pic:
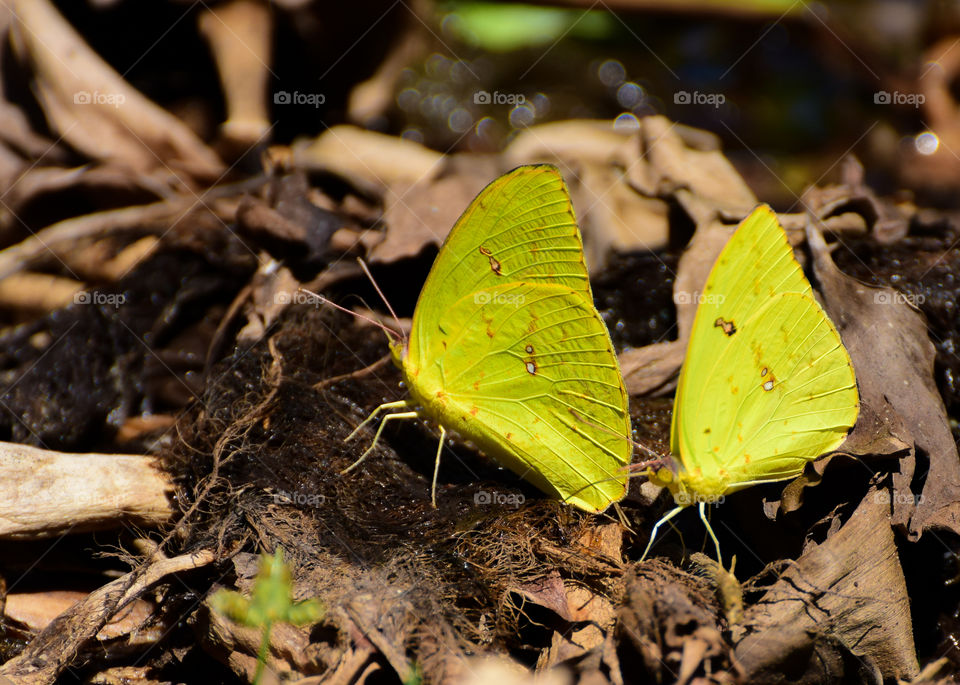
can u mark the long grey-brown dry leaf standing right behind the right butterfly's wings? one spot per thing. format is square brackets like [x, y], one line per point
[900, 404]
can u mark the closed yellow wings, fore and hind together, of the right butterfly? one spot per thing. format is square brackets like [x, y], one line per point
[767, 384]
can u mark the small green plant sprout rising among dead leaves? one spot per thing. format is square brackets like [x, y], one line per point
[270, 603]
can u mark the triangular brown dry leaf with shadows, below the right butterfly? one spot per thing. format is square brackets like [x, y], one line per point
[840, 599]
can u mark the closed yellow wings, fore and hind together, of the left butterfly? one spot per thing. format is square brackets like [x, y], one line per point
[508, 349]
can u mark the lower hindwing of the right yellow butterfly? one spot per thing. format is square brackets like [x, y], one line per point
[783, 394]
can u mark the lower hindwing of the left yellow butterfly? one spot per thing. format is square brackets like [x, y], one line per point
[528, 373]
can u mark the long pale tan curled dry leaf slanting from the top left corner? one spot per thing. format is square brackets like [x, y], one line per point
[94, 109]
